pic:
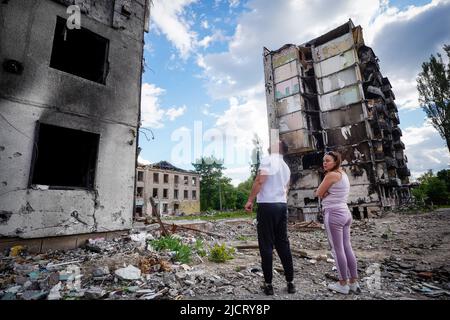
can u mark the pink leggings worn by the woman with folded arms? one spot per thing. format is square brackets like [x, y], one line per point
[337, 224]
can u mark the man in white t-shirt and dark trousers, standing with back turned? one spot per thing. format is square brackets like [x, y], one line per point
[270, 189]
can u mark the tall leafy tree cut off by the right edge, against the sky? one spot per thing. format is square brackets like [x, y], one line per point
[433, 84]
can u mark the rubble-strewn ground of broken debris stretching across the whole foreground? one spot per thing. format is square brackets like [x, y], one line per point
[399, 257]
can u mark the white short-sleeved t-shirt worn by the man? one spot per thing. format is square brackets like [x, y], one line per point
[278, 176]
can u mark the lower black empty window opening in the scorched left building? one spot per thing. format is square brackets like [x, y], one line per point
[64, 158]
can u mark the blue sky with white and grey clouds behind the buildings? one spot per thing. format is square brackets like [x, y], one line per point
[203, 75]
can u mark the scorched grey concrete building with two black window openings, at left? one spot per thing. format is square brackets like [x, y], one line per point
[69, 114]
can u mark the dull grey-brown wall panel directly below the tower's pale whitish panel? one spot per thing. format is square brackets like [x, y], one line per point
[342, 117]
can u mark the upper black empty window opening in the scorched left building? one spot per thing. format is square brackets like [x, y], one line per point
[80, 52]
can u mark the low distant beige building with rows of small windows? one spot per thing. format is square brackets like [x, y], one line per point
[165, 189]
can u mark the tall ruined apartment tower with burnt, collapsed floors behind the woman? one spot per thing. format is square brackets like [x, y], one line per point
[329, 94]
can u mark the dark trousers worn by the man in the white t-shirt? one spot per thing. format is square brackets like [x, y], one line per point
[272, 231]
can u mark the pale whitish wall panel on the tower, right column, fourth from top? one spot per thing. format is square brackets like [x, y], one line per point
[340, 98]
